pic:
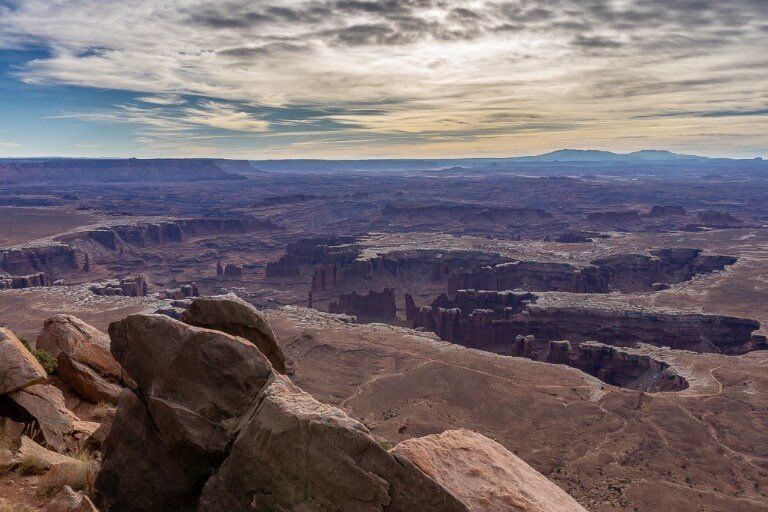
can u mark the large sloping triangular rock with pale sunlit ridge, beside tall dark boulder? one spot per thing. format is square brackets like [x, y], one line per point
[295, 453]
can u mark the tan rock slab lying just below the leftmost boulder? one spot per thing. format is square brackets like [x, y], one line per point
[45, 403]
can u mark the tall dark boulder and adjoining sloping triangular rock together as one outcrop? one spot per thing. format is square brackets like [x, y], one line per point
[212, 427]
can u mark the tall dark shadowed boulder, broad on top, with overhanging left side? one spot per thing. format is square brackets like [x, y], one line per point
[193, 385]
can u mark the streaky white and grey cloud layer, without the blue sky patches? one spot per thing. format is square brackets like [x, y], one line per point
[498, 73]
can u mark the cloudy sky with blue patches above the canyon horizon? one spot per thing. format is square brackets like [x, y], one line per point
[381, 79]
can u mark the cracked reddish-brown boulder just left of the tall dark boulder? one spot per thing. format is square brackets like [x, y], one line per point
[84, 359]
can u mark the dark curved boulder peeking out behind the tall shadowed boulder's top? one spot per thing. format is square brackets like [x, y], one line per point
[234, 316]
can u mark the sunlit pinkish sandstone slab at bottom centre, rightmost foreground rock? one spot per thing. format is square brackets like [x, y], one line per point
[484, 475]
